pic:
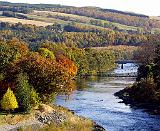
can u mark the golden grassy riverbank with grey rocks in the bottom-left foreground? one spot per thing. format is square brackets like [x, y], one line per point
[48, 117]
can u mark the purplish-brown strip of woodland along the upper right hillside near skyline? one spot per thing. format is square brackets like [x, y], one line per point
[97, 13]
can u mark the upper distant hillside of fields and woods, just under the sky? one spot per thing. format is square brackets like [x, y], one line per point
[95, 16]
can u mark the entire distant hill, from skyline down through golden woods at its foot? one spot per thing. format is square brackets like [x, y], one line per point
[74, 26]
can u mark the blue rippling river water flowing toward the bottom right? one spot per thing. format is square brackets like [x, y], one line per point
[94, 99]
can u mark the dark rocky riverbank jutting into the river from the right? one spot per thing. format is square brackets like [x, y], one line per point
[150, 107]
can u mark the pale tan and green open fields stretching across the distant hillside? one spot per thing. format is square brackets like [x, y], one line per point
[40, 18]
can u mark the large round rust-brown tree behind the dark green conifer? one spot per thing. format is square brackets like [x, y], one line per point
[44, 74]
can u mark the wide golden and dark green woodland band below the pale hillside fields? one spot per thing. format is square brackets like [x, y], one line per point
[72, 35]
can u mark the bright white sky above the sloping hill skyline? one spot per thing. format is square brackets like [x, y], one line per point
[147, 7]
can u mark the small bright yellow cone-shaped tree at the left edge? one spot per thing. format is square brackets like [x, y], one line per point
[9, 101]
